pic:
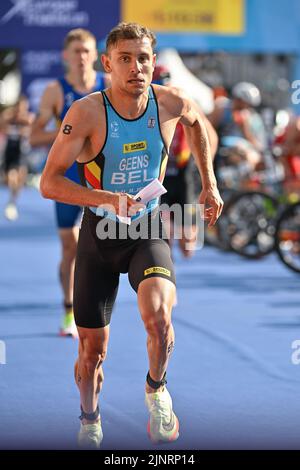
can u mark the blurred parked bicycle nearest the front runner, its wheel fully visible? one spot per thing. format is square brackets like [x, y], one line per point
[248, 221]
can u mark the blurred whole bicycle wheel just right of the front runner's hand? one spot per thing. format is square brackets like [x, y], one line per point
[249, 223]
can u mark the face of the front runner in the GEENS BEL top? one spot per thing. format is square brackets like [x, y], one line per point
[130, 64]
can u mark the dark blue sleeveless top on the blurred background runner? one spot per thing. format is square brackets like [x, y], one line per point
[70, 95]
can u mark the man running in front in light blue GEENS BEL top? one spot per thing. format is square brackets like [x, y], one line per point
[120, 140]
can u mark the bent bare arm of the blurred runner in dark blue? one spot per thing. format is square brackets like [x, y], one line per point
[47, 111]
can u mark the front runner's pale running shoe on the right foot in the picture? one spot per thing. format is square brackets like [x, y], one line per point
[163, 425]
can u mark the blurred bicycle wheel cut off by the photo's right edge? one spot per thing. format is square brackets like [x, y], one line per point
[287, 237]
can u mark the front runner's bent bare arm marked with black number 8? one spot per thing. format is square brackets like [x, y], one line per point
[78, 128]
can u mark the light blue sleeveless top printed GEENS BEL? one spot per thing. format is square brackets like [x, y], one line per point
[133, 154]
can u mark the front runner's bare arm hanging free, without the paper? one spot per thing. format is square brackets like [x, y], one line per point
[181, 106]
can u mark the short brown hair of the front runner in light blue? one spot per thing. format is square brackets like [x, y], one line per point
[129, 31]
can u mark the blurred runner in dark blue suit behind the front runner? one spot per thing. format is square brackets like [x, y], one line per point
[79, 55]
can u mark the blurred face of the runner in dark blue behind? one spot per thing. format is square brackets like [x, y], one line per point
[80, 55]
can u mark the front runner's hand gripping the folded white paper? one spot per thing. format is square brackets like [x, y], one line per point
[121, 204]
